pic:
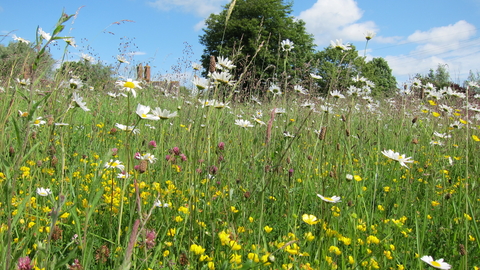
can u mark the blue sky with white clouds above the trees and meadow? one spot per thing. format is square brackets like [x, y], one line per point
[413, 36]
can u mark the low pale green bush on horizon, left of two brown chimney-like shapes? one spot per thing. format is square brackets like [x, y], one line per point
[97, 75]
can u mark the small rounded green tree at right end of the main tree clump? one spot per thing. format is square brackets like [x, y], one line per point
[378, 71]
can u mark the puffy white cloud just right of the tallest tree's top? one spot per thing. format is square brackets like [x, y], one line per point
[329, 20]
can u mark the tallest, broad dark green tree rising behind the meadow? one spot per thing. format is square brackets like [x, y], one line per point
[253, 34]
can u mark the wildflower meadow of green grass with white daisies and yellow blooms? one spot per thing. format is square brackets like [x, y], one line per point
[132, 176]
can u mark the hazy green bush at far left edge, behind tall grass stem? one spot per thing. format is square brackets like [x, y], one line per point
[17, 59]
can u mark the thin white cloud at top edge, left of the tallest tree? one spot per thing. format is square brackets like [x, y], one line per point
[201, 8]
